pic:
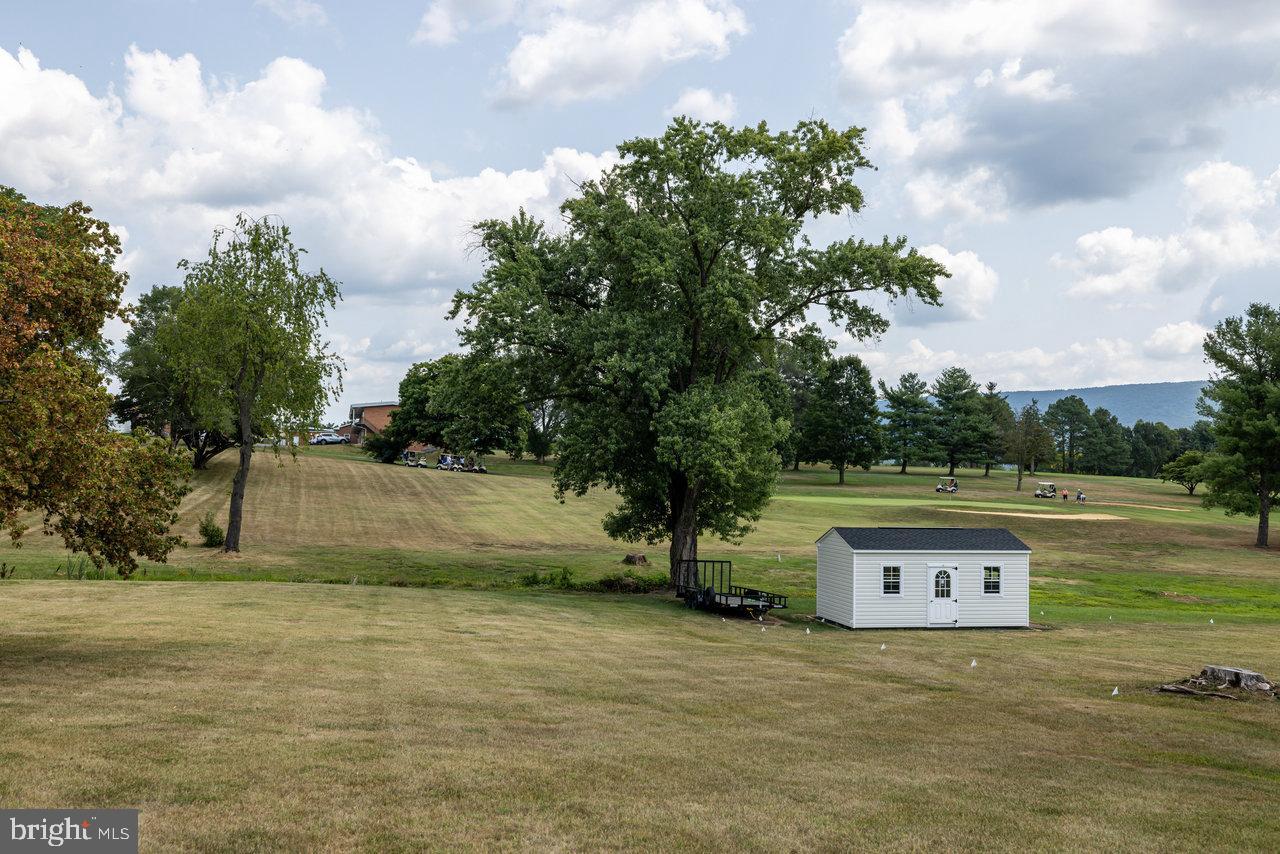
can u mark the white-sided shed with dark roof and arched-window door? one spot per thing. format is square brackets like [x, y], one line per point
[938, 578]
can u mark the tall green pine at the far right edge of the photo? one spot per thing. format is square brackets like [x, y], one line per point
[1244, 404]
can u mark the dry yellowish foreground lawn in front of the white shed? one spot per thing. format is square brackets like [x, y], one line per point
[318, 718]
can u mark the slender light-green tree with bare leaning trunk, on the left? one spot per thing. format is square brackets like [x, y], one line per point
[254, 354]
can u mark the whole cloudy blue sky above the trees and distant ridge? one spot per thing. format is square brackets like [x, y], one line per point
[1100, 179]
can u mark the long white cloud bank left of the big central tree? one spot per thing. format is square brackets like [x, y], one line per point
[177, 154]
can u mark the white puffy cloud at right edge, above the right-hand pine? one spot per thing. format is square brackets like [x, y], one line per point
[1231, 227]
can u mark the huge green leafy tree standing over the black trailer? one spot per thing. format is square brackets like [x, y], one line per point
[661, 305]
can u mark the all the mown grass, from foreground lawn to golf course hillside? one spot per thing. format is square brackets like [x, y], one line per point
[468, 711]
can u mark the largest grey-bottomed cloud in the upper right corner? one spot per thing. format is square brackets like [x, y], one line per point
[1030, 90]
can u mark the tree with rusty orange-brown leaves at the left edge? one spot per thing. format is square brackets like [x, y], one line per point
[108, 495]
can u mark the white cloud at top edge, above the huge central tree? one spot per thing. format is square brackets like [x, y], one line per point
[574, 51]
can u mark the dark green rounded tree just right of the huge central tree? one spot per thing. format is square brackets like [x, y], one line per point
[842, 423]
